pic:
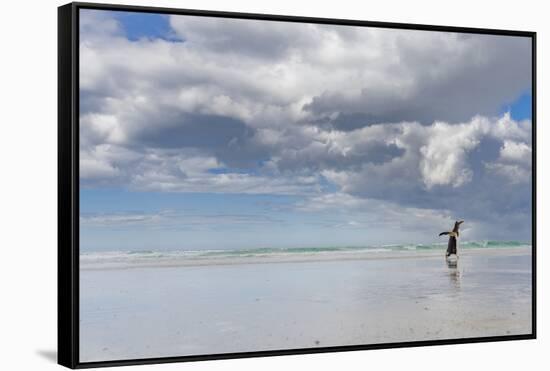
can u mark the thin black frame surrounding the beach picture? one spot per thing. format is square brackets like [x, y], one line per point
[68, 182]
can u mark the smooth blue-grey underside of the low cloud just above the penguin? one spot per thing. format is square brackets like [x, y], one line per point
[500, 209]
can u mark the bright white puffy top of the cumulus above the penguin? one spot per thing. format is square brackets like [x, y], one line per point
[436, 155]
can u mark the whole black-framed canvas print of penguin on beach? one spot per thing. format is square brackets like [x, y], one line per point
[239, 185]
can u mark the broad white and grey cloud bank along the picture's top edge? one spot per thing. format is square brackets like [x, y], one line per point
[266, 73]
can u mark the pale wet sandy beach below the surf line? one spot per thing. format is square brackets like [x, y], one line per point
[336, 299]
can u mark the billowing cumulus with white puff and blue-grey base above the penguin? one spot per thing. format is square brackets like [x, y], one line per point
[448, 167]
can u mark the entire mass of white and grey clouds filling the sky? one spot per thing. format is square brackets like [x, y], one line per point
[406, 119]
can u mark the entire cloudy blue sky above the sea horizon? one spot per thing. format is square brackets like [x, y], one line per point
[212, 133]
